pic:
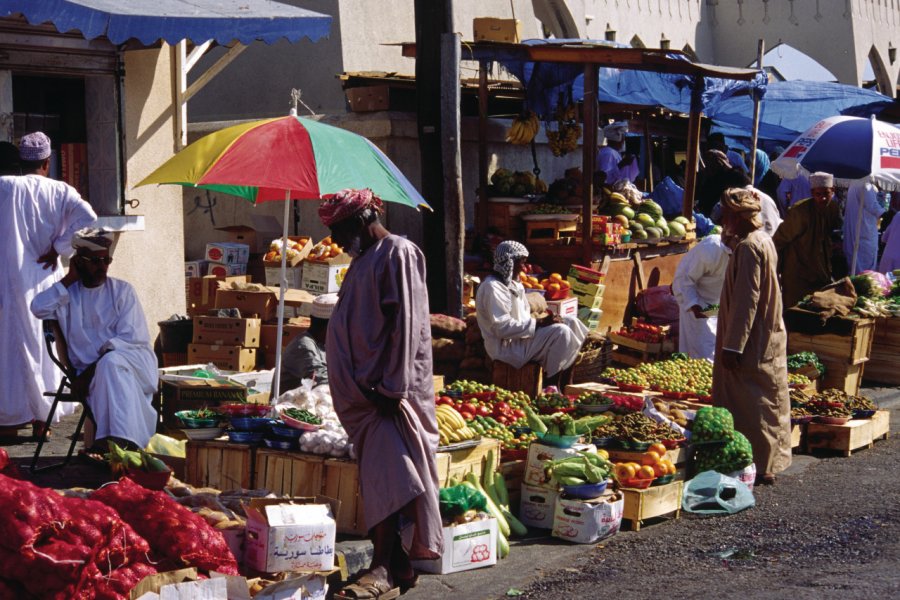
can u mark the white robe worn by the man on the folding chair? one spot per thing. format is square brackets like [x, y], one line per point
[106, 325]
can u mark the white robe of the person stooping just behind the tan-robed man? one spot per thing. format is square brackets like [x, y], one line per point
[698, 281]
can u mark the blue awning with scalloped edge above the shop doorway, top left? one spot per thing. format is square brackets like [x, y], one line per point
[172, 21]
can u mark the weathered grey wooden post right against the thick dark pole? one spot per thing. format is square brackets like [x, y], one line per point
[454, 215]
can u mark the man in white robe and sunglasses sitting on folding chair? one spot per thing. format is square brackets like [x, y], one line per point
[108, 344]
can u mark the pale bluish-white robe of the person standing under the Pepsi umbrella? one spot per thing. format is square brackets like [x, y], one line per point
[865, 195]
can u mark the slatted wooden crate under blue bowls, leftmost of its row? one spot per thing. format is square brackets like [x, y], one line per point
[220, 465]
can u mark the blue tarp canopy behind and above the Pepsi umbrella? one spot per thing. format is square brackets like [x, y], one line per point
[792, 107]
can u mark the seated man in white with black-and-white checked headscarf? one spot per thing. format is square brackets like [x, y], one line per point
[510, 333]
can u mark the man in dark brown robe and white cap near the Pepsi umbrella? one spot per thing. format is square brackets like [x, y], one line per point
[803, 241]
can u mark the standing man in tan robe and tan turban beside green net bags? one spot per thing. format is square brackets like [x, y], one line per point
[750, 370]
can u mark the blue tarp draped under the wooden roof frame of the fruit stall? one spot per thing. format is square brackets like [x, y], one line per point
[545, 81]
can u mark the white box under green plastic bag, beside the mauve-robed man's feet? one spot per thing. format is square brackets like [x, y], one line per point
[469, 546]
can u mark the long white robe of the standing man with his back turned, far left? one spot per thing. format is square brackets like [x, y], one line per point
[38, 213]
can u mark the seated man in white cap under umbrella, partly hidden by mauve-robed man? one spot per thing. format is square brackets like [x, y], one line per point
[304, 357]
